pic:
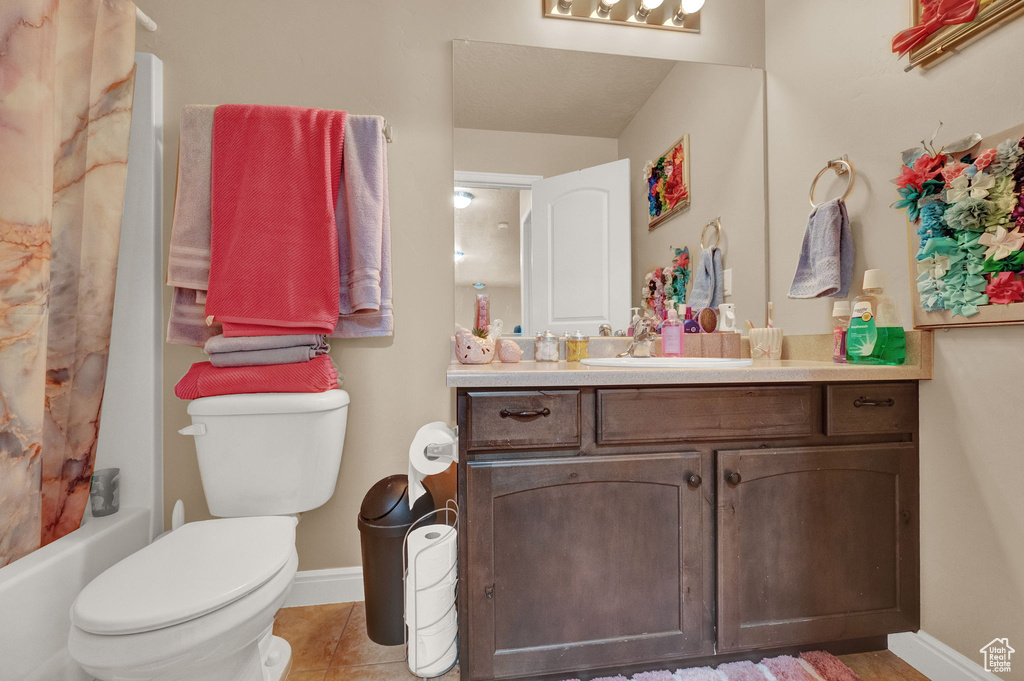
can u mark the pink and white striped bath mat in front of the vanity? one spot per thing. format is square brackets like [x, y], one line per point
[784, 668]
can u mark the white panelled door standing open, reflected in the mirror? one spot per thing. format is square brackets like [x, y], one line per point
[579, 251]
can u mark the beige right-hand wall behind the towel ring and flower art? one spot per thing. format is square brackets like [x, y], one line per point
[835, 89]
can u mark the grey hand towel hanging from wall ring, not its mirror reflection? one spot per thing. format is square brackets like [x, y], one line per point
[826, 267]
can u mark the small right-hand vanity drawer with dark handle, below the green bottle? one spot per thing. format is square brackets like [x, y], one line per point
[872, 408]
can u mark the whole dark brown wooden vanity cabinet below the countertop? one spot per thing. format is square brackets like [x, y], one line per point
[607, 530]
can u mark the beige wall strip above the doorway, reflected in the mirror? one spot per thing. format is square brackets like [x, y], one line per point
[530, 153]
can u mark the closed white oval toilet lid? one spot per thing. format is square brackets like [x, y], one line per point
[193, 571]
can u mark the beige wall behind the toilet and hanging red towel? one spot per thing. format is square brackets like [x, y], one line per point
[393, 59]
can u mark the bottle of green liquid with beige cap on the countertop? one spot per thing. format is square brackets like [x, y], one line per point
[876, 335]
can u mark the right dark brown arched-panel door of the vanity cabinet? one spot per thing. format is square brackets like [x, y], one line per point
[817, 544]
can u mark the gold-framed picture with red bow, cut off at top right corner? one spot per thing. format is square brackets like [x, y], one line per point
[931, 38]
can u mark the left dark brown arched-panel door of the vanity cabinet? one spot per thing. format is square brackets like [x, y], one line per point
[583, 563]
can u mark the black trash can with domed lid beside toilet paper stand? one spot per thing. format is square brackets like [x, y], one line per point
[385, 519]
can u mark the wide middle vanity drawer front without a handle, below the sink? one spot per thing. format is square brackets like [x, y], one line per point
[659, 415]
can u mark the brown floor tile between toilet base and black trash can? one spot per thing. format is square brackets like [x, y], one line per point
[314, 634]
